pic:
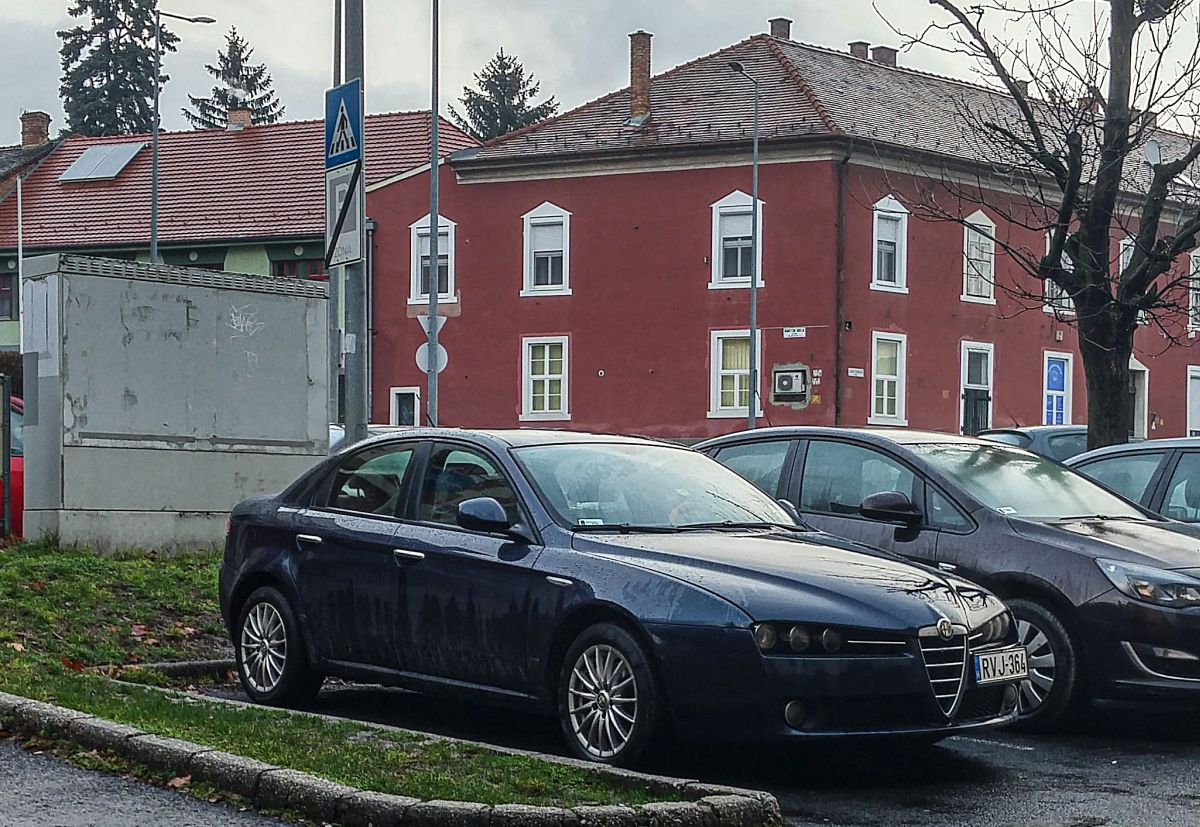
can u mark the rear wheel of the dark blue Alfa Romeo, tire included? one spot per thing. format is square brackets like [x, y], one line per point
[273, 666]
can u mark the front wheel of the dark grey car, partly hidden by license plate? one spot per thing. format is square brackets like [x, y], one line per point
[1055, 687]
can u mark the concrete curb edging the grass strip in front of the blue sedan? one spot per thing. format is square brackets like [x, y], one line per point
[326, 801]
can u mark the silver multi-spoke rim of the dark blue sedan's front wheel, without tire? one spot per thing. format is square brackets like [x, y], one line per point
[603, 702]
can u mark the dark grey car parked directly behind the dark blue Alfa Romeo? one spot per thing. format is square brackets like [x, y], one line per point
[1107, 596]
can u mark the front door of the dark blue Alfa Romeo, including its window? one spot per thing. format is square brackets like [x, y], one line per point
[470, 597]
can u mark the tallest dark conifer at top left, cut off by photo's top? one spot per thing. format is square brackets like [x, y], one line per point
[109, 67]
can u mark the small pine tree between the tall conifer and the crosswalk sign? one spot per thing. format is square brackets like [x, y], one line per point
[242, 86]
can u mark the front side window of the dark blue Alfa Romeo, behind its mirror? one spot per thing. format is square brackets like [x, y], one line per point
[454, 476]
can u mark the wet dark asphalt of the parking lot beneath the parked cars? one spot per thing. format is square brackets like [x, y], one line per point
[1124, 766]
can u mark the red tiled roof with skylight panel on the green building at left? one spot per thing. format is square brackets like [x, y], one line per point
[214, 185]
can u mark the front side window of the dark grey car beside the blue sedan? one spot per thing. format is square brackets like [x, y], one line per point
[838, 477]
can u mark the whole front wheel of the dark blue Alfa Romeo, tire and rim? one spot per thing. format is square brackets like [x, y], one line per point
[609, 702]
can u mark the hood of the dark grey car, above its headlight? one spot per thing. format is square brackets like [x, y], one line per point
[1169, 546]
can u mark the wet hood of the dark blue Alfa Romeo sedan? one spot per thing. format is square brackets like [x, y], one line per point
[805, 578]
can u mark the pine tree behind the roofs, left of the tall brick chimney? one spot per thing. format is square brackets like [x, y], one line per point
[502, 101]
